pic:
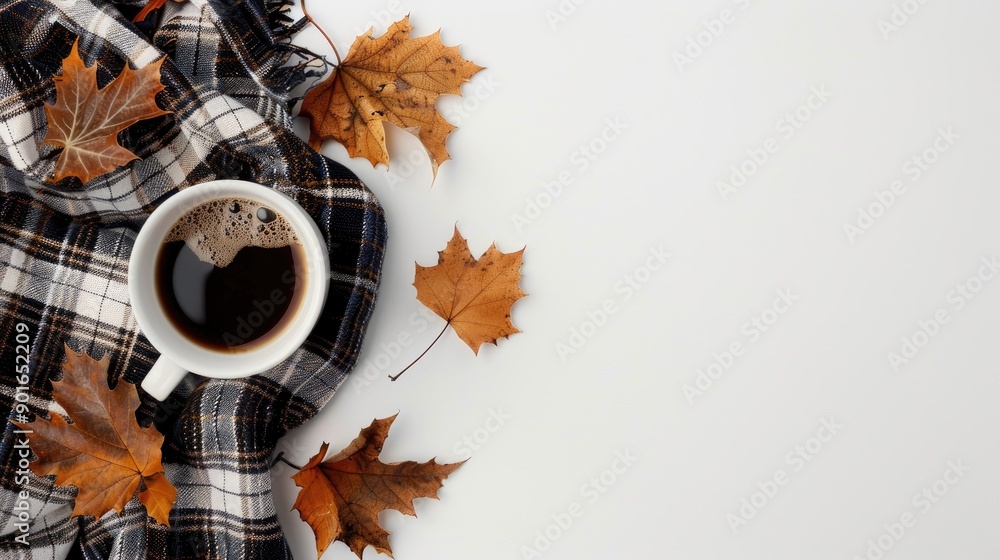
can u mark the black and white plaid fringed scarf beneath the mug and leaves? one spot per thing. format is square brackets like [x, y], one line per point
[64, 251]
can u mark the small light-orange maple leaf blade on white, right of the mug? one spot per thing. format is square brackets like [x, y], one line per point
[473, 296]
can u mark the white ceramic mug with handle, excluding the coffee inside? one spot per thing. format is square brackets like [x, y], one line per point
[179, 354]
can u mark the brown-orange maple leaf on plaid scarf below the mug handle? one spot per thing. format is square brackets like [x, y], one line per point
[104, 452]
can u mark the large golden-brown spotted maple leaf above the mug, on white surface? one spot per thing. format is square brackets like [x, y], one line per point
[393, 79]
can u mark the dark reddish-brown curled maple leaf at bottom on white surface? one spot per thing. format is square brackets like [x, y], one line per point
[342, 496]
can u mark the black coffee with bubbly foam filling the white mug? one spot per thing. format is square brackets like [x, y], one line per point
[230, 275]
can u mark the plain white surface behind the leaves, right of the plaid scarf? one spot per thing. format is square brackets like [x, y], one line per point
[549, 90]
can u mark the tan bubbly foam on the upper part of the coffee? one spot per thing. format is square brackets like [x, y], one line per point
[216, 230]
